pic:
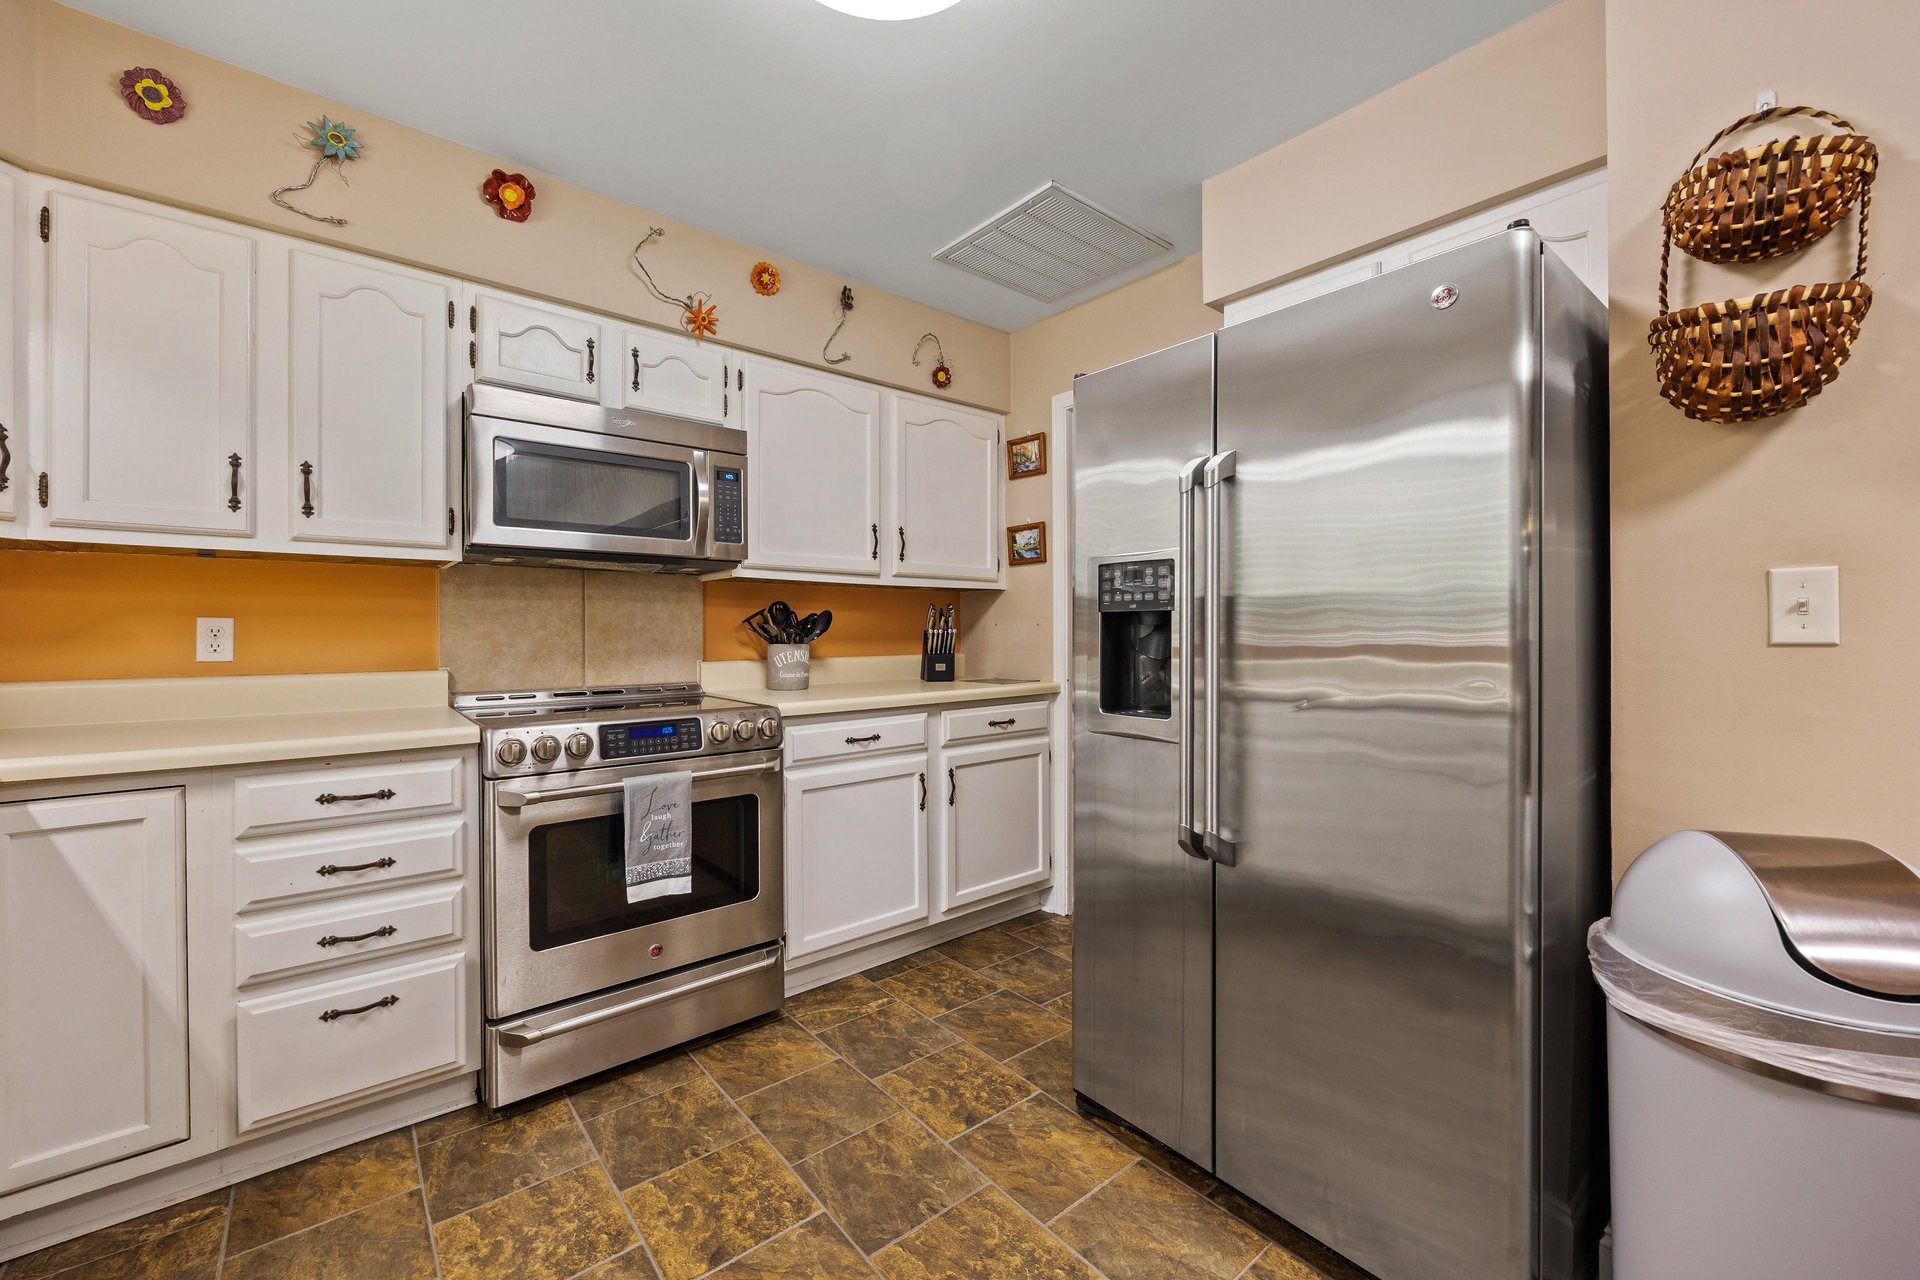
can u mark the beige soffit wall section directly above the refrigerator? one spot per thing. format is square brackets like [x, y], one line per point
[1514, 112]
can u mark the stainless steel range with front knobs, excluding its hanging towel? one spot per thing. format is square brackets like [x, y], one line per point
[581, 980]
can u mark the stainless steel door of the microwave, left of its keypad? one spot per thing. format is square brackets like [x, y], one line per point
[556, 490]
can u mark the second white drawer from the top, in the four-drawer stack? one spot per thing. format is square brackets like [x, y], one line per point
[333, 863]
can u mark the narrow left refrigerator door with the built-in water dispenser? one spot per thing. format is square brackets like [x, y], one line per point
[1141, 907]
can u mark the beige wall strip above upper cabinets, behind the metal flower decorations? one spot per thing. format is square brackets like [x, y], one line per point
[418, 199]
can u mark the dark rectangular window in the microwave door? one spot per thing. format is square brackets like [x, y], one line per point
[540, 486]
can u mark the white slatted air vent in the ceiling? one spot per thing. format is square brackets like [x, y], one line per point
[1051, 245]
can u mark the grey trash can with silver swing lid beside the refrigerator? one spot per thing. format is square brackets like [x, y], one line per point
[1764, 1049]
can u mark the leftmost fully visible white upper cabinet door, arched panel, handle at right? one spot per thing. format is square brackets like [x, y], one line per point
[151, 366]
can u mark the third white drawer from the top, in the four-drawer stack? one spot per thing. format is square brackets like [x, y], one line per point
[341, 934]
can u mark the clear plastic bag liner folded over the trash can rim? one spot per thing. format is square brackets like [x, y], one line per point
[1879, 1066]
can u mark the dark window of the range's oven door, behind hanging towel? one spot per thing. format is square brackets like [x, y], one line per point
[577, 872]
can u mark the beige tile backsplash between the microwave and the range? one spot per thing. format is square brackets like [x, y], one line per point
[506, 627]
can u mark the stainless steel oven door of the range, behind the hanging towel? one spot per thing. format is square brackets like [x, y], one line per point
[558, 922]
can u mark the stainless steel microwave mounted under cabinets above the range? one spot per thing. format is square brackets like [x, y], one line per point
[560, 483]
